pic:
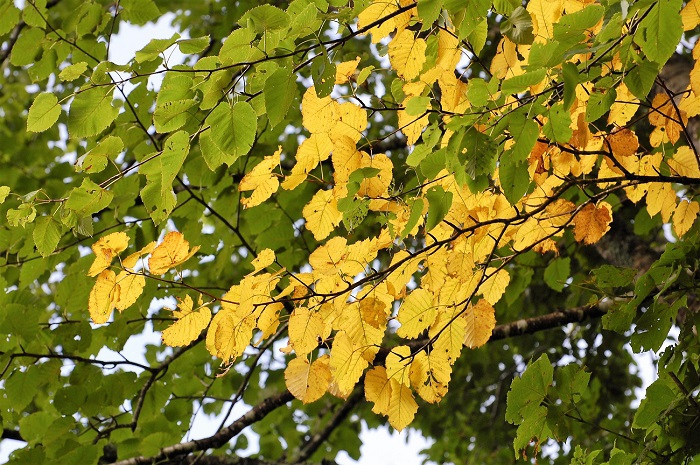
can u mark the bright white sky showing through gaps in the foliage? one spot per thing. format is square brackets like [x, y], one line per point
[379, 445]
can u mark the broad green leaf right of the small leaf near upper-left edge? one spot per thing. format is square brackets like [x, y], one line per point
[91, 112]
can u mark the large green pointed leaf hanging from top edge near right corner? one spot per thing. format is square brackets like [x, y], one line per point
[661, 31]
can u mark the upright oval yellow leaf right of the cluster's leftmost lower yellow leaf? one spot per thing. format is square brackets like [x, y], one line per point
[229, 334]
